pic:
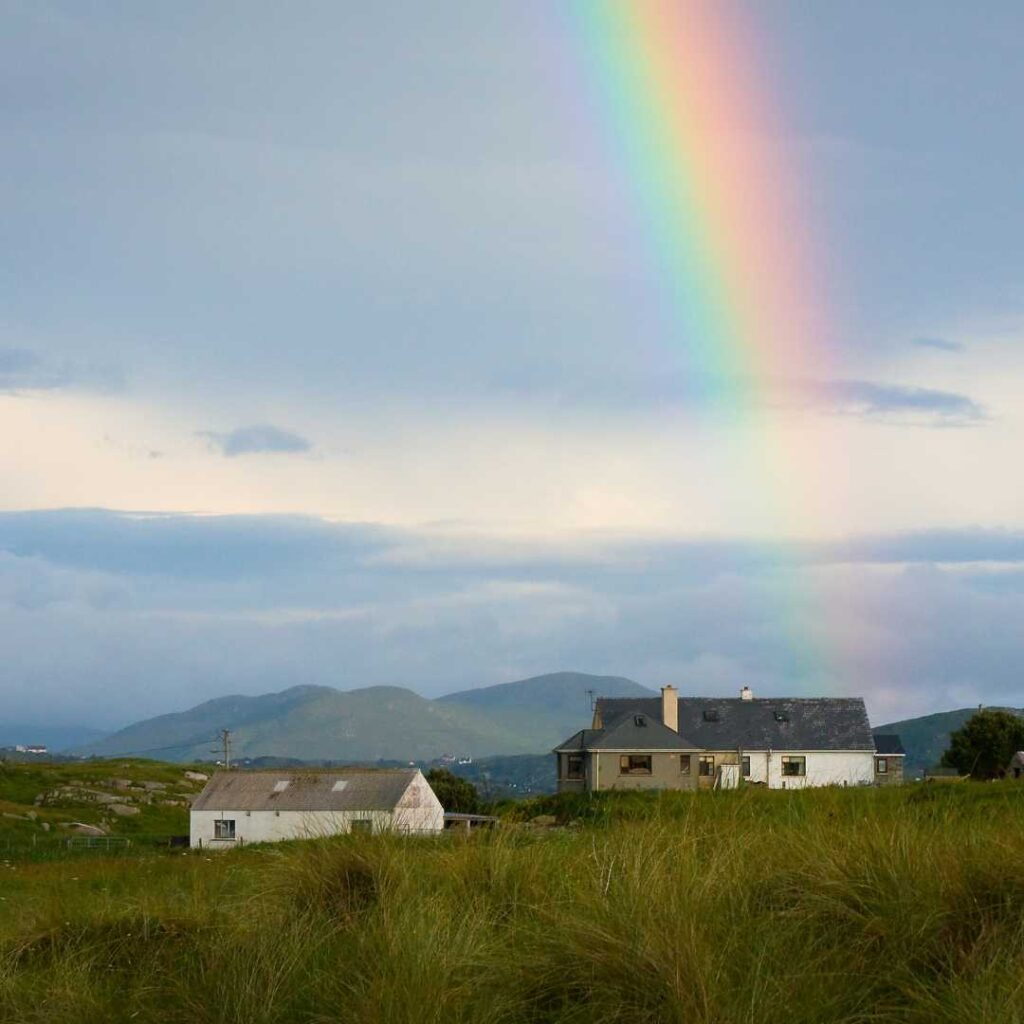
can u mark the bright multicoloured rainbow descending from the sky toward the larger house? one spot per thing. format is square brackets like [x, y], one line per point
[695, 135]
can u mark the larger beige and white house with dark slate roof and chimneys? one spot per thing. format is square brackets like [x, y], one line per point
[682, 743]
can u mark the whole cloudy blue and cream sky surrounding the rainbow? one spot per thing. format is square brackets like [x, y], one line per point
[329, 355]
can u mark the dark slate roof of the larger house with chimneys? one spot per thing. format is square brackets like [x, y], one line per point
[729, 723]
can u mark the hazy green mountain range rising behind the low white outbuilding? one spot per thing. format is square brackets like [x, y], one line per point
[375, 723]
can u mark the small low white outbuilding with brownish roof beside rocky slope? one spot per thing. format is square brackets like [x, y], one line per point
[241, 807]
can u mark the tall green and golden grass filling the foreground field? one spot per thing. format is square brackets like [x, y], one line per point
[854, 906]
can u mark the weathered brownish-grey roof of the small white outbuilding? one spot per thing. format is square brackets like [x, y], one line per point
[363, 790]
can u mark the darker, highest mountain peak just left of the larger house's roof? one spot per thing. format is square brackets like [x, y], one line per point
[551, 707]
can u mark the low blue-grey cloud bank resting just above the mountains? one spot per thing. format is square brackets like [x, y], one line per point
[198, 607]
